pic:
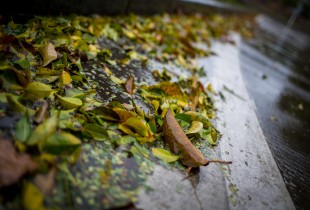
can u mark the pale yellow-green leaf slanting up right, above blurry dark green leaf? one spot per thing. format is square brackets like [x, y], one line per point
[43, 131]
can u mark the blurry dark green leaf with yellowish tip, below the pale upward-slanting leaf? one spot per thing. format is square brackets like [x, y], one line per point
[61, 142]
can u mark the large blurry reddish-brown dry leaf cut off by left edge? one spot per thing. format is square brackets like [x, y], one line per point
[13, 165]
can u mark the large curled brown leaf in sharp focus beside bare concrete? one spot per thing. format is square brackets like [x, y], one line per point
[180, 144]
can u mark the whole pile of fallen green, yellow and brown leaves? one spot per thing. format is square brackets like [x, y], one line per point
[95, 151]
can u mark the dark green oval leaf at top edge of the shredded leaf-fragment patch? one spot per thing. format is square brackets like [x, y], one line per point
[96, 132]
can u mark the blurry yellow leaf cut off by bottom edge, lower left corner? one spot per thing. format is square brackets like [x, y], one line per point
[32, 197]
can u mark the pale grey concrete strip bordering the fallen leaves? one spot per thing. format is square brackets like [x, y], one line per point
[252, 181]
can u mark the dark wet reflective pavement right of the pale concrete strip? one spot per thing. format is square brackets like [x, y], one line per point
[277, 74]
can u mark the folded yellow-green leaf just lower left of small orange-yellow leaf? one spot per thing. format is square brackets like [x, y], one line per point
[37, 90]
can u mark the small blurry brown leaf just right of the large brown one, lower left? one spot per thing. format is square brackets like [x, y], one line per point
[46, 182]
